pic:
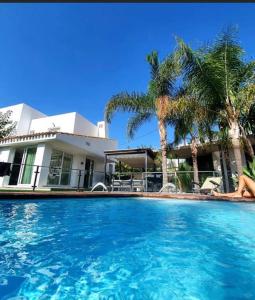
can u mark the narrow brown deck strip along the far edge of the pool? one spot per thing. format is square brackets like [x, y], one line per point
[73, 194]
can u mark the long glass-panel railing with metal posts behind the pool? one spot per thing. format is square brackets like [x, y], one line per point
[38, 176]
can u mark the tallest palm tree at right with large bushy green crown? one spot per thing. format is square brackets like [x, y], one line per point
[224, 82]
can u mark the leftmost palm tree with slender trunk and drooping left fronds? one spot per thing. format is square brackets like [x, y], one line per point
[154, 103]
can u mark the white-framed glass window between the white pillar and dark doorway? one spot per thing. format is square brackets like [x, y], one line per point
[60, 168]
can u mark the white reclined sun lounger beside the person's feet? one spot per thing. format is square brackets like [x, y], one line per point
[210, 184]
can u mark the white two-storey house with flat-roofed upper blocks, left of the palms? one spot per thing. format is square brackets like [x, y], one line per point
[68, 149]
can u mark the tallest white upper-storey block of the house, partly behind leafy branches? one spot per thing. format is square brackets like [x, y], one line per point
[23, 115]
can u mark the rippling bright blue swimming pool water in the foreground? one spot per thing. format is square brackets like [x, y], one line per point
[126, 249]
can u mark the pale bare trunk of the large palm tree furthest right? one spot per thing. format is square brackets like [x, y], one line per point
[234, 134]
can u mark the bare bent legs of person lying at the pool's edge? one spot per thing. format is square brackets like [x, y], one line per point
[246, 188]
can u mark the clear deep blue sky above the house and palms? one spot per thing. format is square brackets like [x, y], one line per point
[74, 57]
